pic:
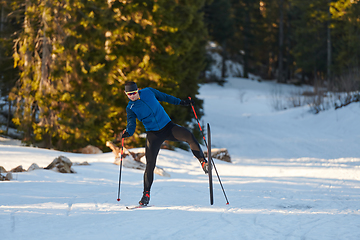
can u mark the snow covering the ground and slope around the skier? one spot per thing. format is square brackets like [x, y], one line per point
[294, 175]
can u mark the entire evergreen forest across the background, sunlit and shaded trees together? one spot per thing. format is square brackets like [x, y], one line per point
[63, 63]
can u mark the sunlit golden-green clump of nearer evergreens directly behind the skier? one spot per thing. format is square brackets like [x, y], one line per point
[74, 57]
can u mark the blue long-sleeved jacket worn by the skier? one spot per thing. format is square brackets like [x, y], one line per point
[148, 110]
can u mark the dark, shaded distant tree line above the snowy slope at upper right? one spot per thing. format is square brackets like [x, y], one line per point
[315, 42]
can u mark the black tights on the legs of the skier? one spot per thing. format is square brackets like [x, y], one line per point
[154, 139]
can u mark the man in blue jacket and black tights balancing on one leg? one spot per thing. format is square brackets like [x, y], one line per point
[144, 105]
